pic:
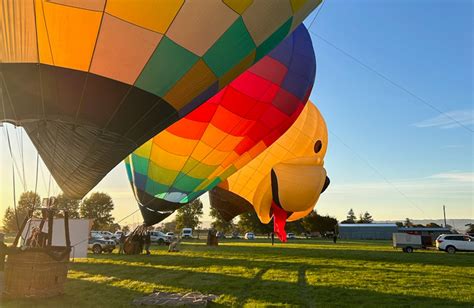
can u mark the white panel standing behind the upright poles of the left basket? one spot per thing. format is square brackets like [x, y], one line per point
[79, 230]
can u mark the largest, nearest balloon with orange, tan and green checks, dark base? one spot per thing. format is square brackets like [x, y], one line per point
[90, 81]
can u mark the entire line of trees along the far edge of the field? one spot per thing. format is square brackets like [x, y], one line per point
[99, 206]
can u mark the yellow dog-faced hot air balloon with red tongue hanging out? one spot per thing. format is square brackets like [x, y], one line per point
[283, 182]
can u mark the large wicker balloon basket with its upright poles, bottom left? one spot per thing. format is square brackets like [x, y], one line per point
[37, 269]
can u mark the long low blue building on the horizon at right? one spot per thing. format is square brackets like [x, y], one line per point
[372, 231]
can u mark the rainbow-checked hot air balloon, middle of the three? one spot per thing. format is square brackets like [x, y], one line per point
[218, 138]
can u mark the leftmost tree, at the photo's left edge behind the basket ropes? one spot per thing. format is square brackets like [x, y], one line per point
[13, 219]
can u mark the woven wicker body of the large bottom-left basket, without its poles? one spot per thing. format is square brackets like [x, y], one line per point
[34, 273]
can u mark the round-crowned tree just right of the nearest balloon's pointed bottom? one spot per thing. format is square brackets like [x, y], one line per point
[98, 207]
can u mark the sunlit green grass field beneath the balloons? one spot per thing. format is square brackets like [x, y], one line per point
[299, 273]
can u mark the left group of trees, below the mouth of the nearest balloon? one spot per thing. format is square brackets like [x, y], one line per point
[98, 207]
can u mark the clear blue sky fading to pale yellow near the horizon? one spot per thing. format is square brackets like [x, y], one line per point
[389, 153]
